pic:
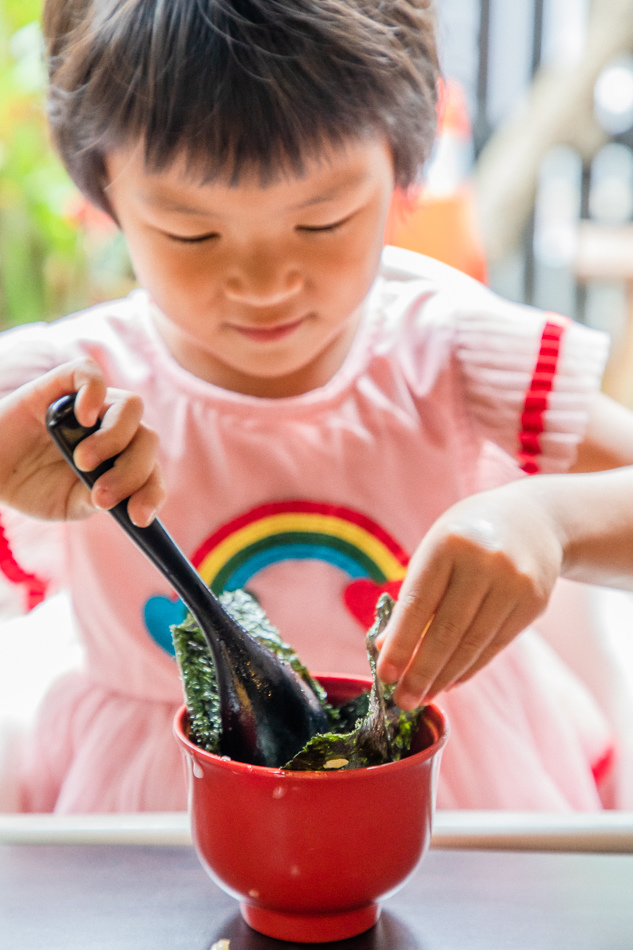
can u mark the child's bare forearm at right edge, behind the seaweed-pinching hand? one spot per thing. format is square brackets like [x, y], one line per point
[592, 515]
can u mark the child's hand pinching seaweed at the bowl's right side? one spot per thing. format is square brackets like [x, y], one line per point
[481, 575]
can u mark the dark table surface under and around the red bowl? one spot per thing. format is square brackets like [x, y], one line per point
[102, 897]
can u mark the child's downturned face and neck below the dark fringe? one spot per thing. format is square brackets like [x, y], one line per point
[259, 288]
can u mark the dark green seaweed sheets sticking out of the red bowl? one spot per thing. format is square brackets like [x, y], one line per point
[368, 730]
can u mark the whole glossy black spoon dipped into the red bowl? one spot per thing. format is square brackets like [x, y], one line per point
[268, 712]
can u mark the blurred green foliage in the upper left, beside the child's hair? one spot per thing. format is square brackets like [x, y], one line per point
[56, 254]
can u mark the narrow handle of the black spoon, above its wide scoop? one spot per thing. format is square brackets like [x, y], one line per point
[155, 542]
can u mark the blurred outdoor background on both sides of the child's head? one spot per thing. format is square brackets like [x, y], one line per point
[530, 188]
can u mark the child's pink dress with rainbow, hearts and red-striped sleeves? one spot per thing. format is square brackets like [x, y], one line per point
[315, 503]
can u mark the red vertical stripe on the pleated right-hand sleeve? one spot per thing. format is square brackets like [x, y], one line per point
[537, 397]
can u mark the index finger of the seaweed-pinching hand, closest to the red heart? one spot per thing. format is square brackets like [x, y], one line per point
[418, 600]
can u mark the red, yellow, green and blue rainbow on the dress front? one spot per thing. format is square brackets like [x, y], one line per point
[299, 530]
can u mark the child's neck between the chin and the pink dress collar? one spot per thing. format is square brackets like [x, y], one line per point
[311, 376]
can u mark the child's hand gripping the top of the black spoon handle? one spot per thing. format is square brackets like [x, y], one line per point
[35, 479]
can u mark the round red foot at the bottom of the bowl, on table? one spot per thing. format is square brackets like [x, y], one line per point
[310, 928]
